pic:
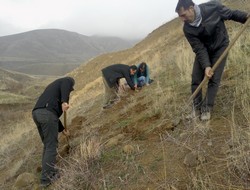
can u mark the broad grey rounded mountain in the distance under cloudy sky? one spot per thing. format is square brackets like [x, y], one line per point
[23, 52]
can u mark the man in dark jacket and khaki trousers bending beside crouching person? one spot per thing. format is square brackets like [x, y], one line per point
[111, 76]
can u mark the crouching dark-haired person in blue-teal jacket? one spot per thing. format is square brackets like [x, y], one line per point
[142, 76]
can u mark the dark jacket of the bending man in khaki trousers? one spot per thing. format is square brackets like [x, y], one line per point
[113, 73]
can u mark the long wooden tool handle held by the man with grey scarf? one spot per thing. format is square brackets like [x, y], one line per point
[205, 80]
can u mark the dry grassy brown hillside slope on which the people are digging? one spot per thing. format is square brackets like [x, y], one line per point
[145, 141]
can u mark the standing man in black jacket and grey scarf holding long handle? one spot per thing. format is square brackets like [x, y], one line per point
[205, 30]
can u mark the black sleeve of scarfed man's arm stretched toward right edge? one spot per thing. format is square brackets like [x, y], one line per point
[235, 15]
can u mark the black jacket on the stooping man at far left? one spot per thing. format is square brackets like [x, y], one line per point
[55, 94]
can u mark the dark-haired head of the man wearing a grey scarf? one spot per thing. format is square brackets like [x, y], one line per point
[185, 10]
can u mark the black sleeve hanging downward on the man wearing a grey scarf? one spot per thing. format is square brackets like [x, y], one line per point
[199, 49]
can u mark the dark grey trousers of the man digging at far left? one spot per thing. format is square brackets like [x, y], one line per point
[47, 125]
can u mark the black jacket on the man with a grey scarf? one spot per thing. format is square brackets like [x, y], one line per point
[211, 35]
